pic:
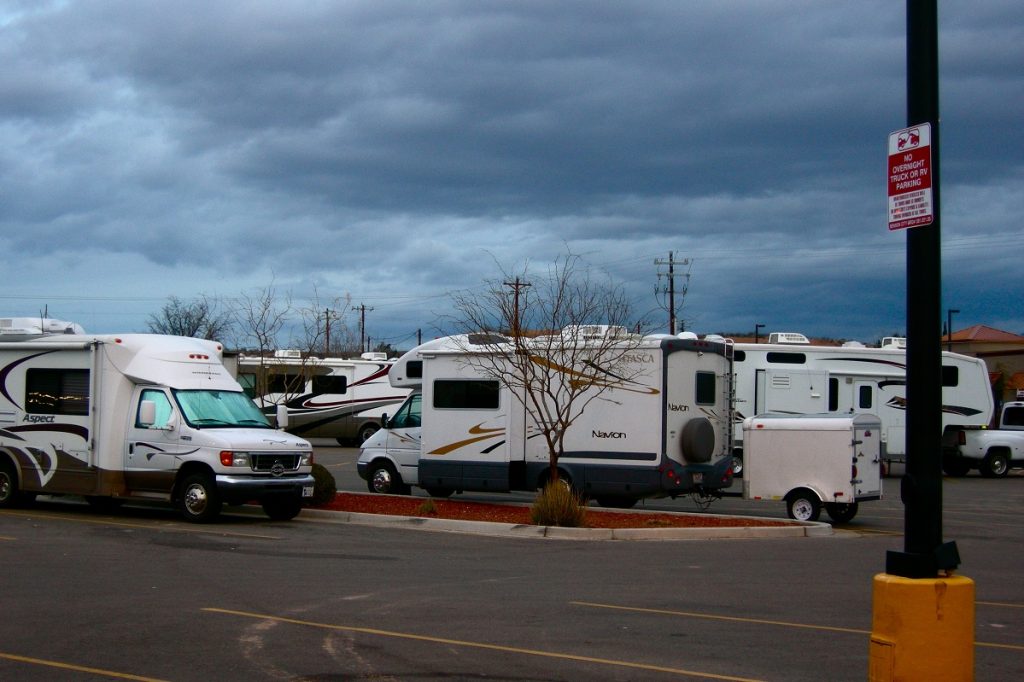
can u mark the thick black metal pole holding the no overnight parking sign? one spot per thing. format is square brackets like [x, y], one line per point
[921, 489]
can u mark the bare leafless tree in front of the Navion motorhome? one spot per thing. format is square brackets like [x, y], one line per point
[557, 340]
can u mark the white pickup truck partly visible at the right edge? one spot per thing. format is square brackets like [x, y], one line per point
[993, 452]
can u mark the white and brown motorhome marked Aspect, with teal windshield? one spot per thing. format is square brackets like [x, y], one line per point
[144, 417]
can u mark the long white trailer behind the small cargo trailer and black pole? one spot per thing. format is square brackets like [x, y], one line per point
[790, 376]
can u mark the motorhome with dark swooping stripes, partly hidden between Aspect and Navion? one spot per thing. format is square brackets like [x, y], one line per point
[330, 398]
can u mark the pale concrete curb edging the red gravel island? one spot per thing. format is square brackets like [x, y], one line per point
[795, 530]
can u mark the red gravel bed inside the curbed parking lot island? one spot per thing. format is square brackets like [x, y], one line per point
[480, 511]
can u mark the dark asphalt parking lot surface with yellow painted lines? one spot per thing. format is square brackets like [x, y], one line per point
[142, 595]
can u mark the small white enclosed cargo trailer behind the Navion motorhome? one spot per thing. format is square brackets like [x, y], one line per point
[810, 461]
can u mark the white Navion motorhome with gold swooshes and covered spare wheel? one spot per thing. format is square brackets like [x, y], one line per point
[661, 428]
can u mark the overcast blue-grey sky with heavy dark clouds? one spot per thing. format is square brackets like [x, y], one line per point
[396, 151]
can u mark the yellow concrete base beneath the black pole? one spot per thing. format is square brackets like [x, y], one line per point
[922, 629]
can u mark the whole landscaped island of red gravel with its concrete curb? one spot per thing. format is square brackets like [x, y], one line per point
[514, 520]
